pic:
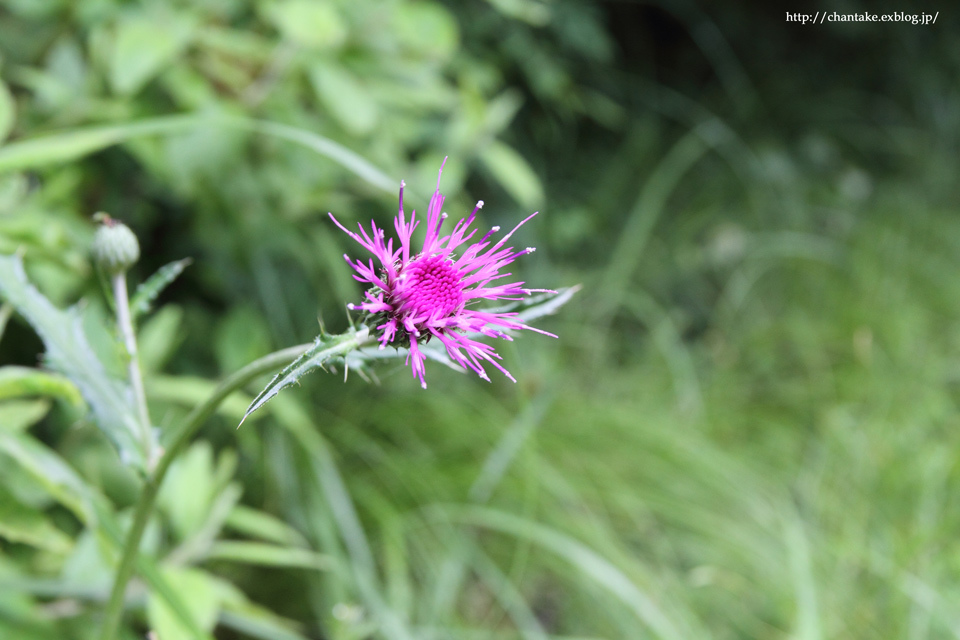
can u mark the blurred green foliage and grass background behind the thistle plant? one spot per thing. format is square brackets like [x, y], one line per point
[747, 428]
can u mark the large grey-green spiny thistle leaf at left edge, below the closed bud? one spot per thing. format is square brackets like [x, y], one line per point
[69, 352]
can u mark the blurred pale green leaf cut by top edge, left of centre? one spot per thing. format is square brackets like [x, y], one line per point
[314, 24]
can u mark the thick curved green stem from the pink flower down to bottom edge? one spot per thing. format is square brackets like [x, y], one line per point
[148, 495]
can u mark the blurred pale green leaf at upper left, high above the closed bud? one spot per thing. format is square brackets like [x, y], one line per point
[143, 46]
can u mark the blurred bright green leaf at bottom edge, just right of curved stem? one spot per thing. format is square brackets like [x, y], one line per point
[197, 590]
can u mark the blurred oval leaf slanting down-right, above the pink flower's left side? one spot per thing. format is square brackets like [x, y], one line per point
[344, 97]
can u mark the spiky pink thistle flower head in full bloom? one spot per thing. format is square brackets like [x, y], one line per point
[430, 294]
